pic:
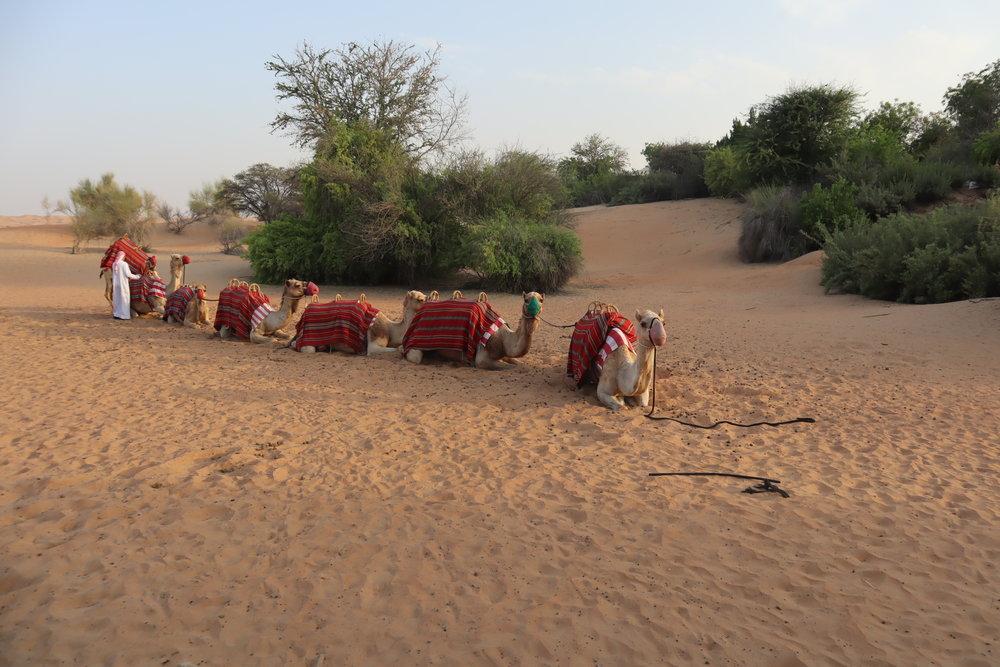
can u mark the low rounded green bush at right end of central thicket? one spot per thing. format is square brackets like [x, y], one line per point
[522, 255]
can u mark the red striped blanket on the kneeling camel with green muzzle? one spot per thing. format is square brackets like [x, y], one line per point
[461, 325]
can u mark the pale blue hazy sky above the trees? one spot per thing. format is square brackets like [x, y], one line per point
[171, 96]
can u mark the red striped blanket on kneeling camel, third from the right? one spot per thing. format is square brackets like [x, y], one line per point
[336, 323]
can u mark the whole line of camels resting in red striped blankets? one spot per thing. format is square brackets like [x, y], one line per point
[604, 348]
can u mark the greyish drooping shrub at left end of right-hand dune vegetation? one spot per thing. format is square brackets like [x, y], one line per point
[770, 229]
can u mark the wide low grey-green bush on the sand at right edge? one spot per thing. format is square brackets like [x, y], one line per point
[950, 253]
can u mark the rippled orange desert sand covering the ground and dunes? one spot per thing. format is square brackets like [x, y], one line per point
[168, 498]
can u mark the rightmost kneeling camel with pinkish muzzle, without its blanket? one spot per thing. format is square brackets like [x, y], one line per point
[628, 374]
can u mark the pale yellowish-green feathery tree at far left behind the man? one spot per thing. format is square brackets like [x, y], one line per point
[104, 208]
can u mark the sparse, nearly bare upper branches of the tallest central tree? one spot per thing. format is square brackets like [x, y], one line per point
[395, 88]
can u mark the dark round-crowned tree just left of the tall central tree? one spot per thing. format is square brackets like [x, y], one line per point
[263, 191]
